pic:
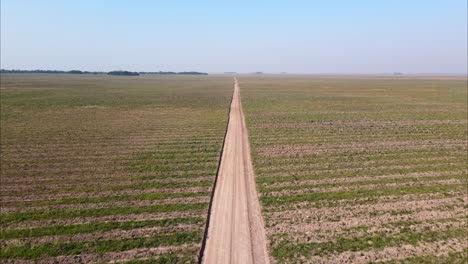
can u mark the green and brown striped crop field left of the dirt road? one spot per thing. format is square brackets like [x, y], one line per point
[97, 168]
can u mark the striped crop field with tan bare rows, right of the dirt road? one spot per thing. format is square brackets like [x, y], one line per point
[360, 169]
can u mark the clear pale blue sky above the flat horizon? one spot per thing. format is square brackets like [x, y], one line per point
[326, 36]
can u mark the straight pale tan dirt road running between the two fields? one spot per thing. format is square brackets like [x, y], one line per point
[236, 233]
